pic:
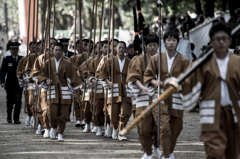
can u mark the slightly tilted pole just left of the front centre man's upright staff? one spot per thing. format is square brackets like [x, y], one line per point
[108, 49]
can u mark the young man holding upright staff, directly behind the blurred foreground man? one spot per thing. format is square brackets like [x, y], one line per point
[171, 110]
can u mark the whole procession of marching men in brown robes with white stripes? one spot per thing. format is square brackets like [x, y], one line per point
[130, 87]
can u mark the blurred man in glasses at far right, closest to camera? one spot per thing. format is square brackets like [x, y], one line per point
[217, 82]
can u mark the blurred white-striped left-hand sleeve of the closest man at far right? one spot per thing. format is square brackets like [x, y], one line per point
[191, 89]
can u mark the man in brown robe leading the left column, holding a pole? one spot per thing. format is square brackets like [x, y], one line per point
[63, 81]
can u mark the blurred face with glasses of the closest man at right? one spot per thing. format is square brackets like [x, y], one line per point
[221, 42]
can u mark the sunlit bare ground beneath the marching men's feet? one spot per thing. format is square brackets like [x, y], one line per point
[21, 142]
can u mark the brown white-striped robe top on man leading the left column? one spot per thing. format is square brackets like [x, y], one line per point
[68, 80]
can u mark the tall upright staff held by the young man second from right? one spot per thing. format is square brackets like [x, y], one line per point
[159, 4]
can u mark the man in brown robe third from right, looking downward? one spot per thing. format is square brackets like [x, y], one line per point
[147, 128]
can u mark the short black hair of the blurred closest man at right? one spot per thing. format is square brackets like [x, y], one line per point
[220, 26]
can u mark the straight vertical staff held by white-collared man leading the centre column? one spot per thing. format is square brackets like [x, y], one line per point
[112, 58]
